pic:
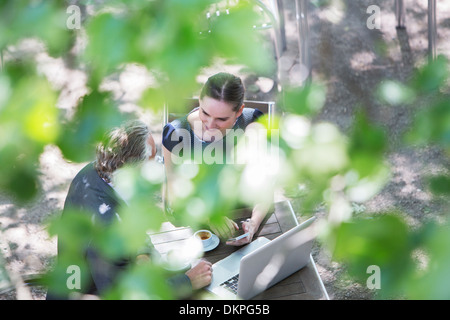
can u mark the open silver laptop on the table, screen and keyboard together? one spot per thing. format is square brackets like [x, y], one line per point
[262, 263]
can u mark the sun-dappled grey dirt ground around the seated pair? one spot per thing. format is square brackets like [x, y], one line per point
[348, 57]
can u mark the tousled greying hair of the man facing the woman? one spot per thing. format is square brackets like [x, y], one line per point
[122, 145]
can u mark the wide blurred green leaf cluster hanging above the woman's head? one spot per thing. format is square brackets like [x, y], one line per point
[174, 40]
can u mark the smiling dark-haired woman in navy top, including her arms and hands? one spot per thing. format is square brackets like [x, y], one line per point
[221, 113]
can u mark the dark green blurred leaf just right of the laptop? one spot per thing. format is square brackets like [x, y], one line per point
[383, 241]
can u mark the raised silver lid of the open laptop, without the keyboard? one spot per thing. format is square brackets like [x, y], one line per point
[276, 260]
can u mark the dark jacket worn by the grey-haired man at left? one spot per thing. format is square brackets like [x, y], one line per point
[89, 193]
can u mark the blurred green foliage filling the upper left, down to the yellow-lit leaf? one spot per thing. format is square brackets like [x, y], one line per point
[163, 36]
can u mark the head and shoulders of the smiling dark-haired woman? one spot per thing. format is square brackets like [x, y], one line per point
[221, 111]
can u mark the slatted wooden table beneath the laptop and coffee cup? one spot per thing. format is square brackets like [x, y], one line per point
[305, 284]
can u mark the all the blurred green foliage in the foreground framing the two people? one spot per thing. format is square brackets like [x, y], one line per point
[173, 40]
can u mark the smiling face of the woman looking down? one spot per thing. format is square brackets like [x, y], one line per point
[217, 115]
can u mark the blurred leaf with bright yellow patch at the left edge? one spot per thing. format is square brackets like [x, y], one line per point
[28, 121]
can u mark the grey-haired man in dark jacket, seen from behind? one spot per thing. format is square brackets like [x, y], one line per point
[92, 192]
